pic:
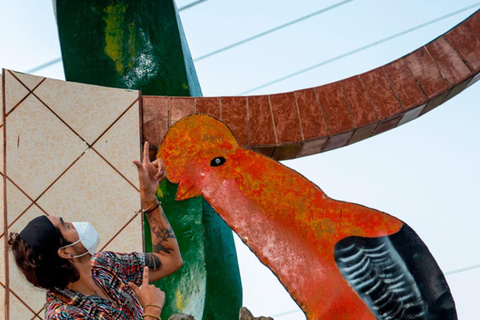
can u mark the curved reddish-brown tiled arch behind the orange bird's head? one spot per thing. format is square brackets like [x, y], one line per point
[304, 122]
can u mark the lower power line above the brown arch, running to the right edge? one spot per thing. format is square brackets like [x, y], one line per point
[360, 49]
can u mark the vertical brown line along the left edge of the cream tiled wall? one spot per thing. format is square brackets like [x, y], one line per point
[5, 221]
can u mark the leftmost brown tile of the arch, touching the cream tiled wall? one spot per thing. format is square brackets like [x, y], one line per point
[155, 119]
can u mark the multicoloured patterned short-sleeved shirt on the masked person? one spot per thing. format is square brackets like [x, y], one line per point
[112, 271]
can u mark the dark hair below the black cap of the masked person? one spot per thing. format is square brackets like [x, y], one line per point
[47, 272]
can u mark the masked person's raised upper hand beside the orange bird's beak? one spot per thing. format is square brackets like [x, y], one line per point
[149, 175]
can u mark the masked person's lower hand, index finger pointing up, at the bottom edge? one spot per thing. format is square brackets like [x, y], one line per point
[148, 294]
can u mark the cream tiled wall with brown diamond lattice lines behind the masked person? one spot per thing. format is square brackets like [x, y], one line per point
[69, 152]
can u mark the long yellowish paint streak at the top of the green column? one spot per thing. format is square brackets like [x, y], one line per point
[114, 17]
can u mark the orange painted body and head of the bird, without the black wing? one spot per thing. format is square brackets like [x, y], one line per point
[286, 220]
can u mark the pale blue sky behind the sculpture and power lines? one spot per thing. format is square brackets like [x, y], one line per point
[425, 172]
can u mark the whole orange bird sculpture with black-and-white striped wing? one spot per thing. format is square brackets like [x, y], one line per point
[338, 260]
